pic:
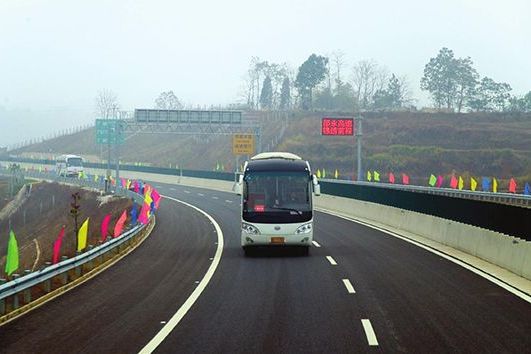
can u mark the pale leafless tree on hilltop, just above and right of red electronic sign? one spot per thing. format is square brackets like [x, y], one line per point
[368, 78]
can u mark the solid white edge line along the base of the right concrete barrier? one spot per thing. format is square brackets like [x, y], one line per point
[463, 264]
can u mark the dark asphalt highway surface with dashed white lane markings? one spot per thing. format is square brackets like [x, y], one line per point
[360, 291]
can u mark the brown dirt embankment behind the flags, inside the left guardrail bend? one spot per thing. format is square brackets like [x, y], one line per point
[38, 217]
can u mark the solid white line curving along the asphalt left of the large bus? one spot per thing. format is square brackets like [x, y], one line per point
[177, 317]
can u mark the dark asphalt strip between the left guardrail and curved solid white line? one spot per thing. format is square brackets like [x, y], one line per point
[121, 309]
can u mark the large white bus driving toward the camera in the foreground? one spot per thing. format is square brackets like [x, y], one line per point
[277, 205]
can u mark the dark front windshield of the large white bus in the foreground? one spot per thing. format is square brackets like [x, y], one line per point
[277, 197]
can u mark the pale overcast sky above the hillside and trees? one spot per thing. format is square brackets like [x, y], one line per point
[56, 55]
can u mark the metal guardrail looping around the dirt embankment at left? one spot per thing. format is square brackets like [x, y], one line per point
[25, 283]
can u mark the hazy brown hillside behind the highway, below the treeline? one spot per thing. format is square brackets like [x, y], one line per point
[417, 143]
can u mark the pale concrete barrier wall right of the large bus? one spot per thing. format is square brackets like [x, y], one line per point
[509, 252]
